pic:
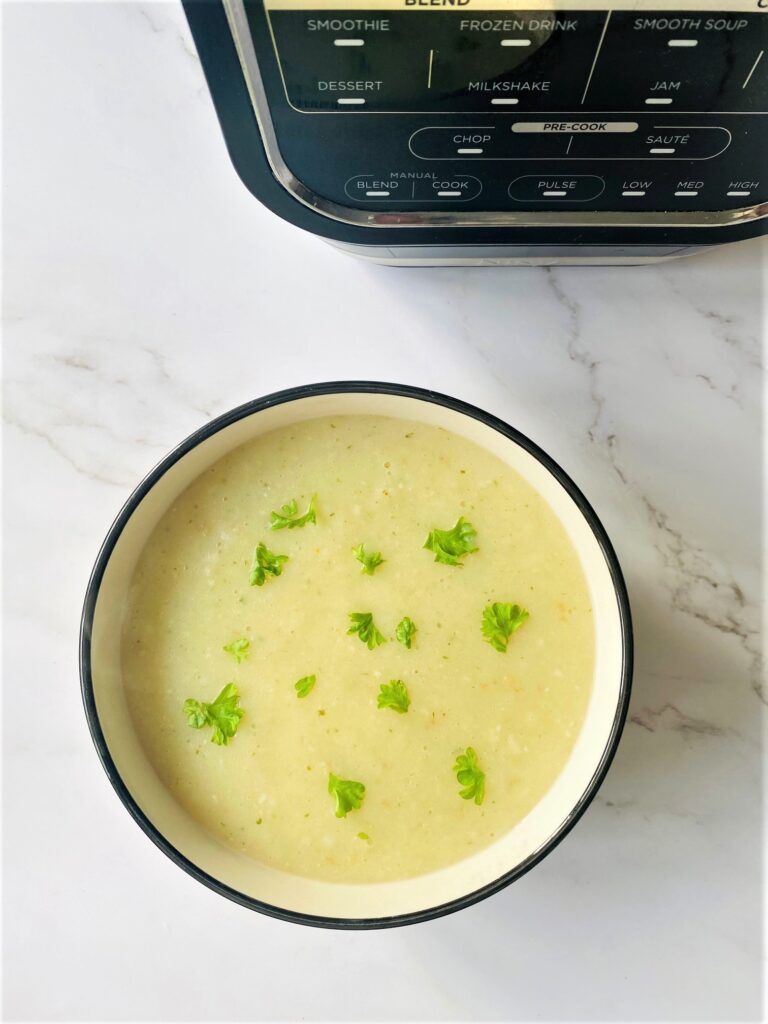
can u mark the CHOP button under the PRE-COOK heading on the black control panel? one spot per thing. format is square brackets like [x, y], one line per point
[487, 143]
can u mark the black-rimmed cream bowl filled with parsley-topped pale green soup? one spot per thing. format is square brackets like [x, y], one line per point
[357, 655]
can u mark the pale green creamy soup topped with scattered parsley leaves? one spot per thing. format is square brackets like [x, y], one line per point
[351, 756]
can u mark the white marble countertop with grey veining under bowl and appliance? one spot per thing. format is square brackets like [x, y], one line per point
[146, 292]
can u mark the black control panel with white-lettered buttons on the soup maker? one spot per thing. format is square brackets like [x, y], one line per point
[403, 107]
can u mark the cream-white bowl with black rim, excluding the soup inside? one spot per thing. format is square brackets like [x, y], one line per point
[289, 897]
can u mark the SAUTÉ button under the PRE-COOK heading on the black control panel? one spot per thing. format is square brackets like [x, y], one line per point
[658, 143]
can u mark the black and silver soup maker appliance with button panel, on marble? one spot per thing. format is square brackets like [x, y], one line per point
[497, 132]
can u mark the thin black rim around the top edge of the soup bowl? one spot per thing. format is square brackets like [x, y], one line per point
[293, 395]
